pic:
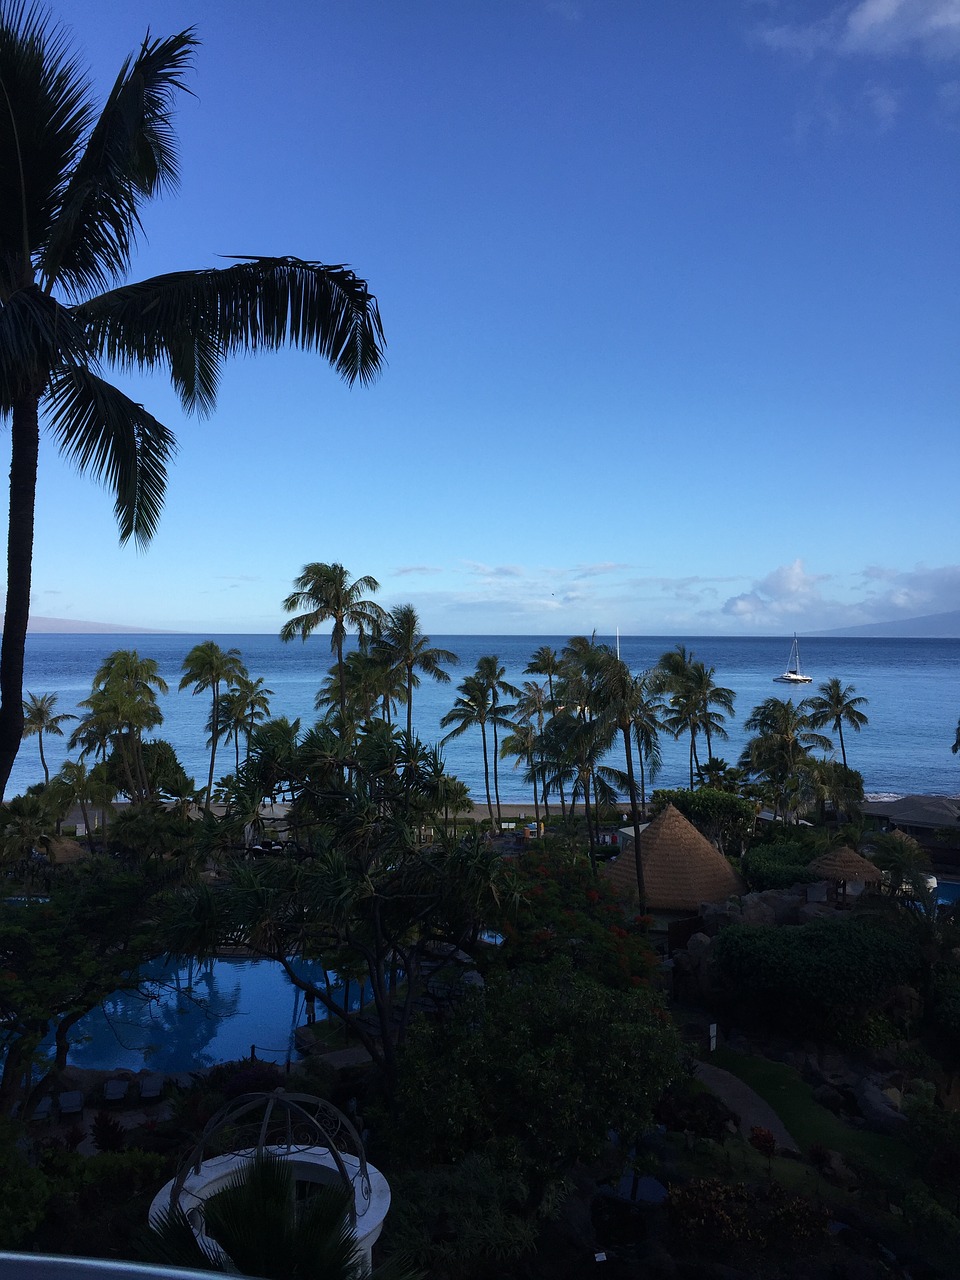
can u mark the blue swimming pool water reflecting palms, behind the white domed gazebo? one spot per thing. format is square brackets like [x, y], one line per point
[193, 1016]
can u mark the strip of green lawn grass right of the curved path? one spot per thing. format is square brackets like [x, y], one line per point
[889, 1159]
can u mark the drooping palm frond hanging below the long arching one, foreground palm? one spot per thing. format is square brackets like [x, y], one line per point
[124, 446]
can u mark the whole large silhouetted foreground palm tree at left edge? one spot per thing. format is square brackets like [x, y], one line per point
[76, 182]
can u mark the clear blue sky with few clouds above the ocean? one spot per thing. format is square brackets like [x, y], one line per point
[671, 300]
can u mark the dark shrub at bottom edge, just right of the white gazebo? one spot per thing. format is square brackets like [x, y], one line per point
[460, 1220]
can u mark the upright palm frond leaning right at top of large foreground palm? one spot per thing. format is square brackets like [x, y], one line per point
[131, 154]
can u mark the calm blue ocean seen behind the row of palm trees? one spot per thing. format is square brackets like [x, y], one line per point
[911, 685]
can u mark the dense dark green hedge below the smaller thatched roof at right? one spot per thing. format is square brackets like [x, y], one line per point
[817, 977]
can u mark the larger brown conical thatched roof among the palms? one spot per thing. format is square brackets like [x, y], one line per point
[682, 867]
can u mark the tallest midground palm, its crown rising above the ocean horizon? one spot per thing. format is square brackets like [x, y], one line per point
[326, 595]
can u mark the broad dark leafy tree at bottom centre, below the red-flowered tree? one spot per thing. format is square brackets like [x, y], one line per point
[540, 1069]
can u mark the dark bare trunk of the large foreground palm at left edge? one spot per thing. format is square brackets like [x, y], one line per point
[20, 561]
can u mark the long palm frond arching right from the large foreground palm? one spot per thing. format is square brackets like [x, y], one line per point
[191, 321]
